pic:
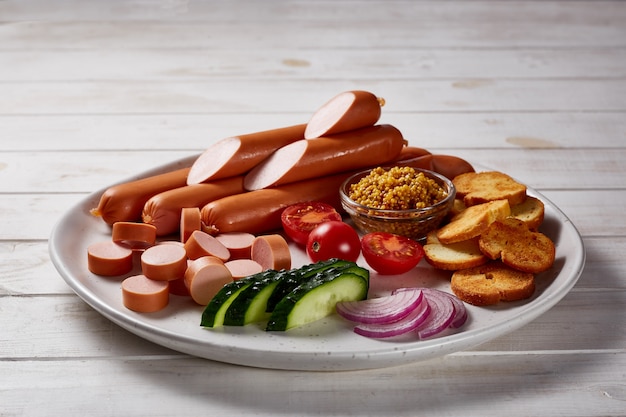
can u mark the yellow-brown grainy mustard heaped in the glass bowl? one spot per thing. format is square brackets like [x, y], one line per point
[396, 188]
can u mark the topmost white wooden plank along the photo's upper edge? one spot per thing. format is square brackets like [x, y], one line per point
[308, 25]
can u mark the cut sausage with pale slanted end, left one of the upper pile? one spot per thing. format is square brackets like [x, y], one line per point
[237, 155]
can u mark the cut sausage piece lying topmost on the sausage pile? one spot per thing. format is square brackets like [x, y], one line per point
[347, 111]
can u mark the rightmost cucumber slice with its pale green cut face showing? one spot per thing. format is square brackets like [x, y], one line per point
[317, 297]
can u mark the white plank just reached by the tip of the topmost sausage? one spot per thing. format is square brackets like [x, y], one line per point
[245, 96]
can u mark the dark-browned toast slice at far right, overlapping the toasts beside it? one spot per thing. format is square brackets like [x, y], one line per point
[519, 247]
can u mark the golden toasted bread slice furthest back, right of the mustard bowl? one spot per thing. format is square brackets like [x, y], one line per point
[481, 187]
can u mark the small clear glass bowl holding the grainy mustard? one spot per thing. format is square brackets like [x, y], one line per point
[412, 223]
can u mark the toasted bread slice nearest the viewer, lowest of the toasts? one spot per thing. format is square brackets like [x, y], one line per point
[491, 283]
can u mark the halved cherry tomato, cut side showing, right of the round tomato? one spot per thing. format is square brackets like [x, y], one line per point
[390, 254]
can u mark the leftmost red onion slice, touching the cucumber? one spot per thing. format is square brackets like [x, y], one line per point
[380, 310]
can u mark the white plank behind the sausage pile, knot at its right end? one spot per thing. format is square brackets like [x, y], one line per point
[194, 132]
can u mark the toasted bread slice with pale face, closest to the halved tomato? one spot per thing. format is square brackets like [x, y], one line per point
[454, 256]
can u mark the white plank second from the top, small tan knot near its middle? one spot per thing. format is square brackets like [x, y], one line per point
[281, 63]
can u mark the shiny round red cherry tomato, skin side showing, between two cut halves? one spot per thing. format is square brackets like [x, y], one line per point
[333, 239]
